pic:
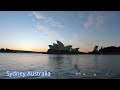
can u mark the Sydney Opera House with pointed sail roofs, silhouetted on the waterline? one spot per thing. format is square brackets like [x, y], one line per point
[61, 48]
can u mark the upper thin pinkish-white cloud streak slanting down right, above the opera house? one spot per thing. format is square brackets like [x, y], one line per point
[47, 20]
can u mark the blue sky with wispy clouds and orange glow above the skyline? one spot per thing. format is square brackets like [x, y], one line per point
[35, 30]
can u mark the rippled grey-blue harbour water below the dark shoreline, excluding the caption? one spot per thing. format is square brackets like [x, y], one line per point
[61, 66]
